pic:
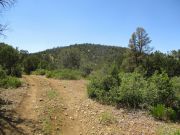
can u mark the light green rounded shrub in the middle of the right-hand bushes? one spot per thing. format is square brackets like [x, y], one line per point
[132, 89]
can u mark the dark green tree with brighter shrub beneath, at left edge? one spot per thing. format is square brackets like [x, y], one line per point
[10, 70]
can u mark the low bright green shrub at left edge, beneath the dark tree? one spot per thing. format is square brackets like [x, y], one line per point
[10, 82]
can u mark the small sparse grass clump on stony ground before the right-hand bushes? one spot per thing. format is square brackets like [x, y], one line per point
[107, 118]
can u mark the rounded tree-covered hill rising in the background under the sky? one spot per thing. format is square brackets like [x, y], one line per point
[80, 55]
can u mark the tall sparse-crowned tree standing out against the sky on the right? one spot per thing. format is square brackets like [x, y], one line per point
[138, 49]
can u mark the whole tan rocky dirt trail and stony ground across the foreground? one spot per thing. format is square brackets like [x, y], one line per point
[61, 107]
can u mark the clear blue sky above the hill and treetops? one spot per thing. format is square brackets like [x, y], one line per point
[36, 25]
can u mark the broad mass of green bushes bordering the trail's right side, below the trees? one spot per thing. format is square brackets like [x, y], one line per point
[134, 90]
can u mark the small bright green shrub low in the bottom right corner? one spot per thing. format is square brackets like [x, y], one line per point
[162, 113]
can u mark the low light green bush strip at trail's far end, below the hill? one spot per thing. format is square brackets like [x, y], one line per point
[64, 74]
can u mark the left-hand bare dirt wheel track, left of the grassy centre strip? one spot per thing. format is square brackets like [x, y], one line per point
[27, 107]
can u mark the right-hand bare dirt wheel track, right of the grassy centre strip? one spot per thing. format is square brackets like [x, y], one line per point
[71, 93]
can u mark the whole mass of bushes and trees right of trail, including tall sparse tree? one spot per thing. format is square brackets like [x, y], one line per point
[145, 80]
